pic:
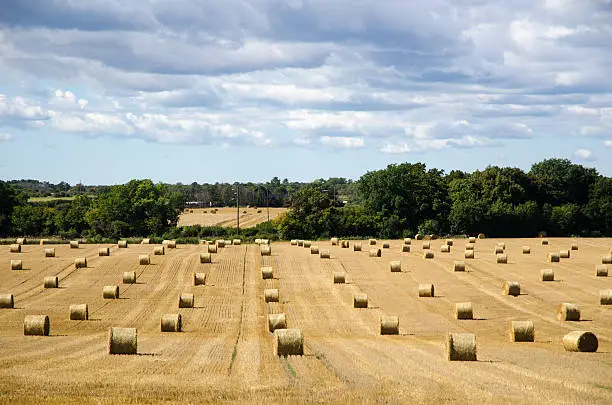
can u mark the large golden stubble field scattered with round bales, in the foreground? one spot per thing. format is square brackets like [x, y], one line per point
[225, 352]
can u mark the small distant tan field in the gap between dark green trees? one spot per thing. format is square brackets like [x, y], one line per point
[226, 216]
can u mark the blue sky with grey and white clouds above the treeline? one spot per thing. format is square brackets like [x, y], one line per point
[104, 91]
